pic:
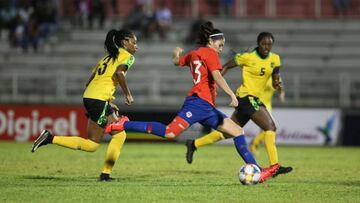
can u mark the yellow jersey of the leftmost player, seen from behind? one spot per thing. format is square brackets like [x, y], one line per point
[103, 85]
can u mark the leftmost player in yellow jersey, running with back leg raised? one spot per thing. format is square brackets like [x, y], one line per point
[110, 72]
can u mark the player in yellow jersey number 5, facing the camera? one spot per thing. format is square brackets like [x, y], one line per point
[258, 67]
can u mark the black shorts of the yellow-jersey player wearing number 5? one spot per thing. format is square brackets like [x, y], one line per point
[247, 106]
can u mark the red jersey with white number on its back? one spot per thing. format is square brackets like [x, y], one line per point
[202, 62]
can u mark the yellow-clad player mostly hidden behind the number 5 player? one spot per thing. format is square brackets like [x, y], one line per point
[266, 98]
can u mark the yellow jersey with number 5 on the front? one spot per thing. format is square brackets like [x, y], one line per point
[256, 71]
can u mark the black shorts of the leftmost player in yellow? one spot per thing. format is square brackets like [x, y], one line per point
[97, 110]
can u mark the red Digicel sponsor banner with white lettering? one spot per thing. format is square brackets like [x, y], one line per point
[24, 123]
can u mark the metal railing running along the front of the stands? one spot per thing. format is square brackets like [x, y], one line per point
[153, 88]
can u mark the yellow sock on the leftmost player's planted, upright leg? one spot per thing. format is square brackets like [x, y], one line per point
[113, 151]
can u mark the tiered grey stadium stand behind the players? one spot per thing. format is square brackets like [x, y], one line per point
[320, 60]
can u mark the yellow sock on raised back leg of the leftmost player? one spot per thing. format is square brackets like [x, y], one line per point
[74, 142]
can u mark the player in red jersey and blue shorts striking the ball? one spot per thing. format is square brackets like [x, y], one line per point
[199, 105]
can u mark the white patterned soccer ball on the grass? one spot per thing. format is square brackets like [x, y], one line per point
[249, 174]
